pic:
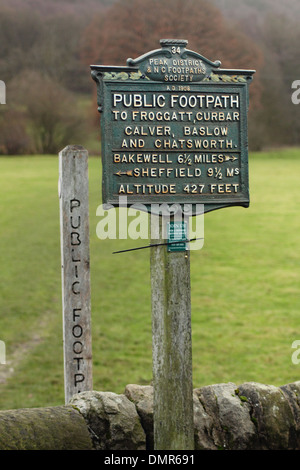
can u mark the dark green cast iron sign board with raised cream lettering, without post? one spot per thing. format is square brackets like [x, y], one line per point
[174, 129]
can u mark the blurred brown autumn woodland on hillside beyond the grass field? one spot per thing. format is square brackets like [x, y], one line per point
[48, 46]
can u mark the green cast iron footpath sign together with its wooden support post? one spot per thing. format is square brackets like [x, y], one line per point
[174, 134]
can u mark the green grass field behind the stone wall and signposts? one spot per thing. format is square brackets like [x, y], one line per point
[245, 287]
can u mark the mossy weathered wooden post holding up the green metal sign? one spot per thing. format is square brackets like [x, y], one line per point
[171, 343]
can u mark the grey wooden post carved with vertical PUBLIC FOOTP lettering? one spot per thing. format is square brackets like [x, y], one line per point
[75, 258]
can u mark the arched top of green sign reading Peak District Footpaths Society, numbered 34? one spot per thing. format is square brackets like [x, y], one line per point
[174, 60]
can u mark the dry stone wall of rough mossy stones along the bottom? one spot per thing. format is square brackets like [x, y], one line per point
[250, 416]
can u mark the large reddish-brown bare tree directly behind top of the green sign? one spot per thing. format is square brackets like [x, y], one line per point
[133, 27]
